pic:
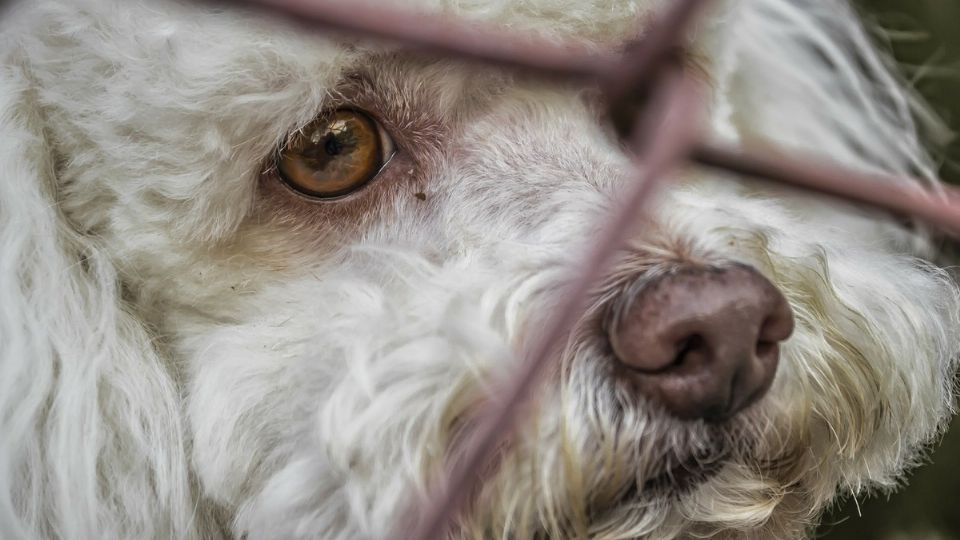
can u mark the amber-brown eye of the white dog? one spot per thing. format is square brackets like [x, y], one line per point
[335, 154]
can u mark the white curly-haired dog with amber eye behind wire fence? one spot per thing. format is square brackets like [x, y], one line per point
[256, 283]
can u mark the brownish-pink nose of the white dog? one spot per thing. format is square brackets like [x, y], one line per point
[703, 342]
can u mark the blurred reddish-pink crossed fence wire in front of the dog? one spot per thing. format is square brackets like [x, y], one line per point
[646, 93]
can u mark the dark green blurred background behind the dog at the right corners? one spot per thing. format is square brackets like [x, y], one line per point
[924, 36]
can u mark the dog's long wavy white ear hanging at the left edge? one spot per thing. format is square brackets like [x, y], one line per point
[91, 443]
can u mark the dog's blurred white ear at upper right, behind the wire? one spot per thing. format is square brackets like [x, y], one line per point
[807, 75]
